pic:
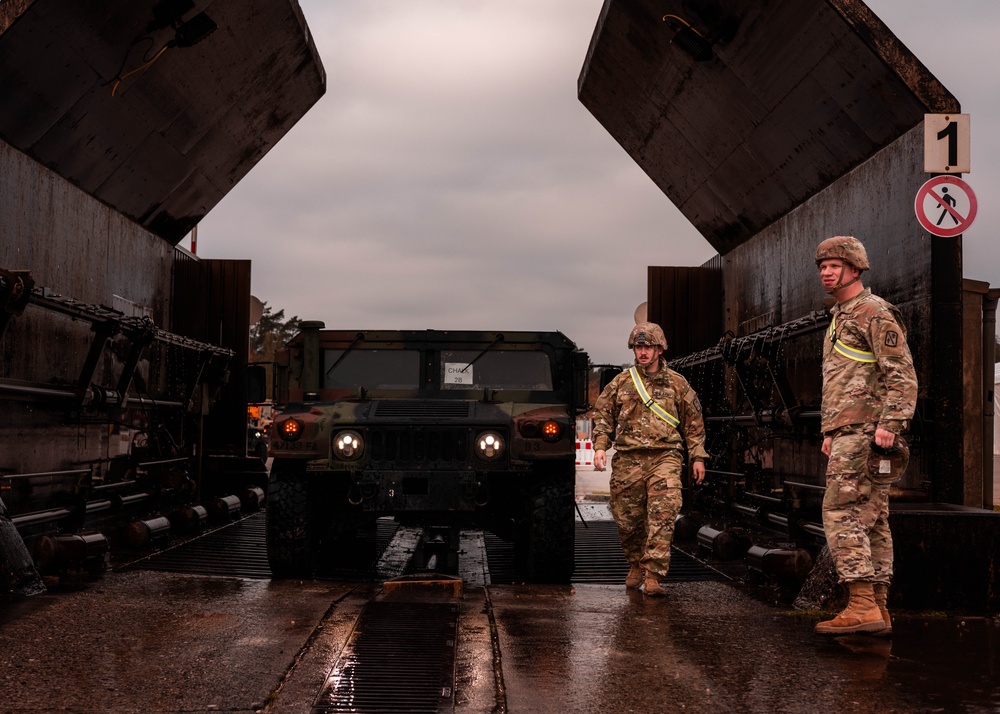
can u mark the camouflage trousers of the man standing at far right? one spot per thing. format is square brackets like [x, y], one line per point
[856, 511]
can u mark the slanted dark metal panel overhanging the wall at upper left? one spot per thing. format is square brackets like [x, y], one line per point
[155, 108]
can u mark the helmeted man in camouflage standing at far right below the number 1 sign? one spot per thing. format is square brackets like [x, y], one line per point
[869, 396]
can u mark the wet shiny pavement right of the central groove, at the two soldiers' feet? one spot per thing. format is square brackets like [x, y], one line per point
[709, 648]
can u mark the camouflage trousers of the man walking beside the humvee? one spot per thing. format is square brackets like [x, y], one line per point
[645, 500]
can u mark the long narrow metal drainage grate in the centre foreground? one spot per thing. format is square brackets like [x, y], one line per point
[400, 658]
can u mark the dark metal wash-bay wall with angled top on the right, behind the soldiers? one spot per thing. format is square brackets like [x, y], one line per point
[771, 126]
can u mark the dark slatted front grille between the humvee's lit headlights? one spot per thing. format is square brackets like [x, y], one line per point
[411, 448]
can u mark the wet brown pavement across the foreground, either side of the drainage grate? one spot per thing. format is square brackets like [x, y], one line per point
[145, 641]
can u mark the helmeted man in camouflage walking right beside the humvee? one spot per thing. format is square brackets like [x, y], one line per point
[649, 443]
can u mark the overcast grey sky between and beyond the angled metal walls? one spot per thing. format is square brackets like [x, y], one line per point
[450, 178]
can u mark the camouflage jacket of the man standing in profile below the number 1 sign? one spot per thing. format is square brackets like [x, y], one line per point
[881, 392]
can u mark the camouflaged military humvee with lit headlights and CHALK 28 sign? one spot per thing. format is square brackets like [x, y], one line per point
[467, 429]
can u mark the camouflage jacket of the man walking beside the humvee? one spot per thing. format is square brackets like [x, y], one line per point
[620, 417]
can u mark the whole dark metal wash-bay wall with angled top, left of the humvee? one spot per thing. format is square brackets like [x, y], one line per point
[122, 379]
